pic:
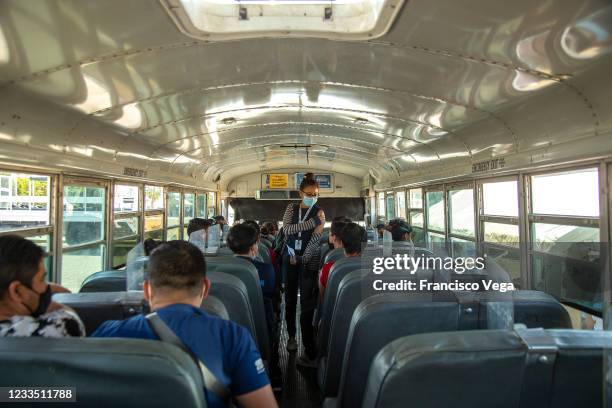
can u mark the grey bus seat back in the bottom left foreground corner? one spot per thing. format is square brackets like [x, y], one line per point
[105, 372]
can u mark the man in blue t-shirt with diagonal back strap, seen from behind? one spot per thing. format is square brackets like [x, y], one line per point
[175, 289]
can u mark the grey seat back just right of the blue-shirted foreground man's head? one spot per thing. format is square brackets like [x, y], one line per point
[232, 292]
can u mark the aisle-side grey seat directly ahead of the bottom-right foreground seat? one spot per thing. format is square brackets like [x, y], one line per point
[394, 314]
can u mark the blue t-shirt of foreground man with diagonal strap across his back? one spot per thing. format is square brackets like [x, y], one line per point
[226, 348]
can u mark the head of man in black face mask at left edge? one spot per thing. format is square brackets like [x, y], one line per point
[23, 286]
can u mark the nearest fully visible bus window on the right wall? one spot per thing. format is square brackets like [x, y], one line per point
[564, 229]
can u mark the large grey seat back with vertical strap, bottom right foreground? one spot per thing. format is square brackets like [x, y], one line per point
[534, 368]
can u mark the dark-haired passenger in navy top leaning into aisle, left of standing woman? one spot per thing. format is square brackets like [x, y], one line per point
[242, 240]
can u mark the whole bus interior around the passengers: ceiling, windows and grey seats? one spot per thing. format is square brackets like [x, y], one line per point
[485, 125]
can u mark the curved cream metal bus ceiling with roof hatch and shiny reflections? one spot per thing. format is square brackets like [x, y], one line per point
[432, 90]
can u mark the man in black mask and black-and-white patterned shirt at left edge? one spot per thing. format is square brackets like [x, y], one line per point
[26, 308]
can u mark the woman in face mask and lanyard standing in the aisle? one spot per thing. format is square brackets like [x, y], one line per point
[299, 222]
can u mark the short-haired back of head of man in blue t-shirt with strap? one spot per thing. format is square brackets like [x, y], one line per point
[176, 273]
